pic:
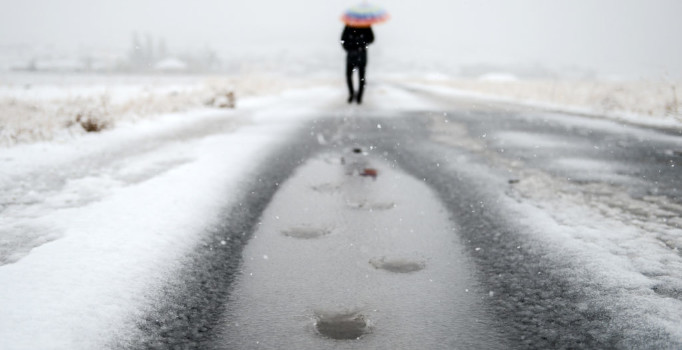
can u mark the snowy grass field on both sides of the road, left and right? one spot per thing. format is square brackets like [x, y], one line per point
[46, 107]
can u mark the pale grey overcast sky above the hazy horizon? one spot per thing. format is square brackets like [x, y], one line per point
[614, 37]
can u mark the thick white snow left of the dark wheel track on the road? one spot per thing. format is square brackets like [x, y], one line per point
[118, 209]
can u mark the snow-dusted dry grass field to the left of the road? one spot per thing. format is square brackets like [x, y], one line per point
[46, 107]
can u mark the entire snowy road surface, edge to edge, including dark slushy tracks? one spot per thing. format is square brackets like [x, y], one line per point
[486, 226]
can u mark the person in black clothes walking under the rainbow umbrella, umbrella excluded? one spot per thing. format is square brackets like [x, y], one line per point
[355, 41]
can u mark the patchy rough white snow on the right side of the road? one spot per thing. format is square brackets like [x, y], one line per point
[628, 247]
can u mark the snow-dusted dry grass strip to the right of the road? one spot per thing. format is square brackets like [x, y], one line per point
[645, 102]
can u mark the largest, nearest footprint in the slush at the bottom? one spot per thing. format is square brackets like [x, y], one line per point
[341, 325]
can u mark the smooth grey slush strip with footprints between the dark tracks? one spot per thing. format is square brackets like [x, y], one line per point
[338, 255]
